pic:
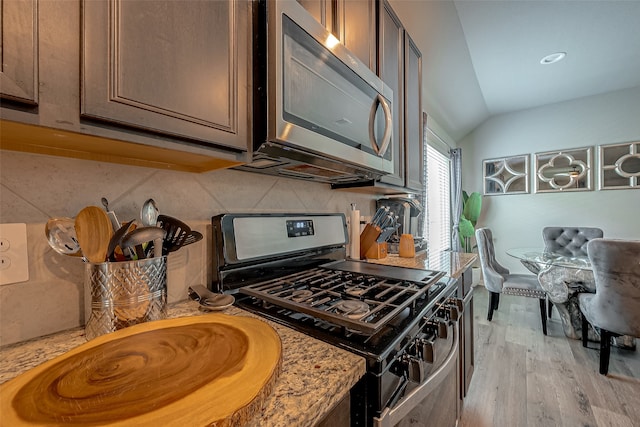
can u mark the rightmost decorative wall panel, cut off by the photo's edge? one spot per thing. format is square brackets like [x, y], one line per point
[619, 166]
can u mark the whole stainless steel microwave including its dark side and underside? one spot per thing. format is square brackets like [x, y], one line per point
[319, 112]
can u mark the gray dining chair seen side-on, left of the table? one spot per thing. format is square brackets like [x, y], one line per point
[498, 279]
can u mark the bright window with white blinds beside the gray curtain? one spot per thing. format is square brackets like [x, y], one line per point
[437, 224]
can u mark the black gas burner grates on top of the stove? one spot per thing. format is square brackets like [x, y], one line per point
[360, 302]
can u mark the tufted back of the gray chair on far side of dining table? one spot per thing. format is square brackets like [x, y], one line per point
[569, 241]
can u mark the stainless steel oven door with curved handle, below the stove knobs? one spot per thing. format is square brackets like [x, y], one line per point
[435, 398]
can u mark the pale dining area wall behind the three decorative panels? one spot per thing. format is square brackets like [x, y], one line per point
[517, 220]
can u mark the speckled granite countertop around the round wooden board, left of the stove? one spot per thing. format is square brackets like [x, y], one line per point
[315, 375]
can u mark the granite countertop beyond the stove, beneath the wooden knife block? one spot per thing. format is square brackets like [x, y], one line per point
[452, 263]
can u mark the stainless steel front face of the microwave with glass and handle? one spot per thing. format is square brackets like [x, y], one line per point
[321, 98]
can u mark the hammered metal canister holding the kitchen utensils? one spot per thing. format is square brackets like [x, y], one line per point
[125, 293]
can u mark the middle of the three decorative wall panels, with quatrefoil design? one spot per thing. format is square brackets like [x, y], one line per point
[567, 170]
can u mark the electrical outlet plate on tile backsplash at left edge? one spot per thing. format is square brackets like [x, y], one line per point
[14, 262]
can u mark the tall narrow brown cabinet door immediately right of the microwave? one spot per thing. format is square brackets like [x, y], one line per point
[391, 41]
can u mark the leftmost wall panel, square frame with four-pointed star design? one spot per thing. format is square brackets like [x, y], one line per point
[506, 175]
